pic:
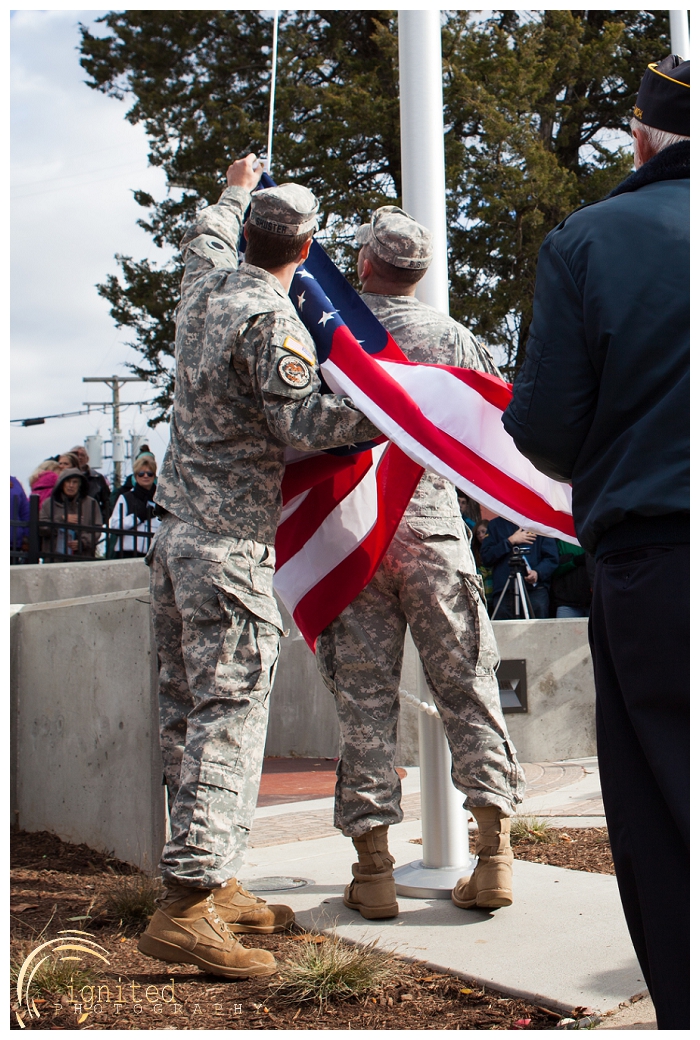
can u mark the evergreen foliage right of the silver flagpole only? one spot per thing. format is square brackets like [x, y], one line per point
[534, 110]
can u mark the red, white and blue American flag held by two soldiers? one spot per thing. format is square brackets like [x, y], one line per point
[342, 509]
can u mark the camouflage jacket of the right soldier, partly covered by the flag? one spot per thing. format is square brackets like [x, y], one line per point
[426, 335]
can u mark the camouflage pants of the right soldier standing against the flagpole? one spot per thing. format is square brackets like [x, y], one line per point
[427, 580]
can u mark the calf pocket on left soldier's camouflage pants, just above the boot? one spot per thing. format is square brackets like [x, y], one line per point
[216, 802]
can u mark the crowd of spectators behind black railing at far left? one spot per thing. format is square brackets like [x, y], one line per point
[80, 516]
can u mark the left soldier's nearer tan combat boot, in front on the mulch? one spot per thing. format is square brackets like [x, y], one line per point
[187, 929]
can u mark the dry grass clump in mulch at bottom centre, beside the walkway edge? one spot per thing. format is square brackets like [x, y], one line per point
[332, 969]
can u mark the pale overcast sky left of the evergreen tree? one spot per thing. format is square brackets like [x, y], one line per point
[75, 162]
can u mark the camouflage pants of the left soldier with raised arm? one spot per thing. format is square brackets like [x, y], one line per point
[218, 634]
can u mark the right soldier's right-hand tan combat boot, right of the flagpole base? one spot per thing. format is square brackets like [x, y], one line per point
[491, 885]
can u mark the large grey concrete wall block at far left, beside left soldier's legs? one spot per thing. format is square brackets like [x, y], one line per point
[86, 747]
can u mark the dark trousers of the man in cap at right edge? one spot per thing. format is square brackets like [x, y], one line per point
[640, 641]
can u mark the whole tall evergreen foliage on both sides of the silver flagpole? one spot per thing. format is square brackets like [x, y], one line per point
[529, 99]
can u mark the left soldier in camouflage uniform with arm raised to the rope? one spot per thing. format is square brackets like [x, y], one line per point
[246, 388]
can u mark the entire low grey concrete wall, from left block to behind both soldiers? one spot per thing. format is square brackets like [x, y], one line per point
[85, 757]
